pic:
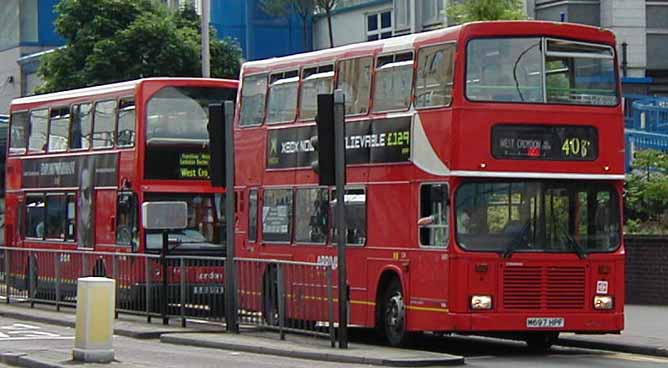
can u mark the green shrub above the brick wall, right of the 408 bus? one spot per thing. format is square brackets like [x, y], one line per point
[647, 193]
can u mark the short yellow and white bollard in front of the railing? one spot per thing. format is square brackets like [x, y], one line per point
[96, 300]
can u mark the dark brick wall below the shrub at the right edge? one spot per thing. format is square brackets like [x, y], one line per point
[647, 269]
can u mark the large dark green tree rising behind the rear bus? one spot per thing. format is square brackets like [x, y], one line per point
[117, 40]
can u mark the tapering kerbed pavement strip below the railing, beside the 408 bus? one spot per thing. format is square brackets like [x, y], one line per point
[314, 348]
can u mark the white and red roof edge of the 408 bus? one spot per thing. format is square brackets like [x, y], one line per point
[458, 33]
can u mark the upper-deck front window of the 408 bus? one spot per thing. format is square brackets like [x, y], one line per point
[540, 70]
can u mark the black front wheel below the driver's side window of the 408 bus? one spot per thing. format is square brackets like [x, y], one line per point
[393, 315]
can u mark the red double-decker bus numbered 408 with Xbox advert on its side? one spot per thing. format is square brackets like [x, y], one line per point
[484, 178]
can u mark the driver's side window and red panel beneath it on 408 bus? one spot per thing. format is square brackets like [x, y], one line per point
[429, 273]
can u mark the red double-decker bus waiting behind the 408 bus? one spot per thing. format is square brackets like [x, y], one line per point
[80, 163]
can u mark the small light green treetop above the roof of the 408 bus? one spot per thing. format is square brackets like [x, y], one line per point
[474, 10]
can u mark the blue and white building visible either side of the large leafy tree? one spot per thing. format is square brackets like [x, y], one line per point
[27, 31]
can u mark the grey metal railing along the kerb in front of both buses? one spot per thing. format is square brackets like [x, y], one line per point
[280, 295]
